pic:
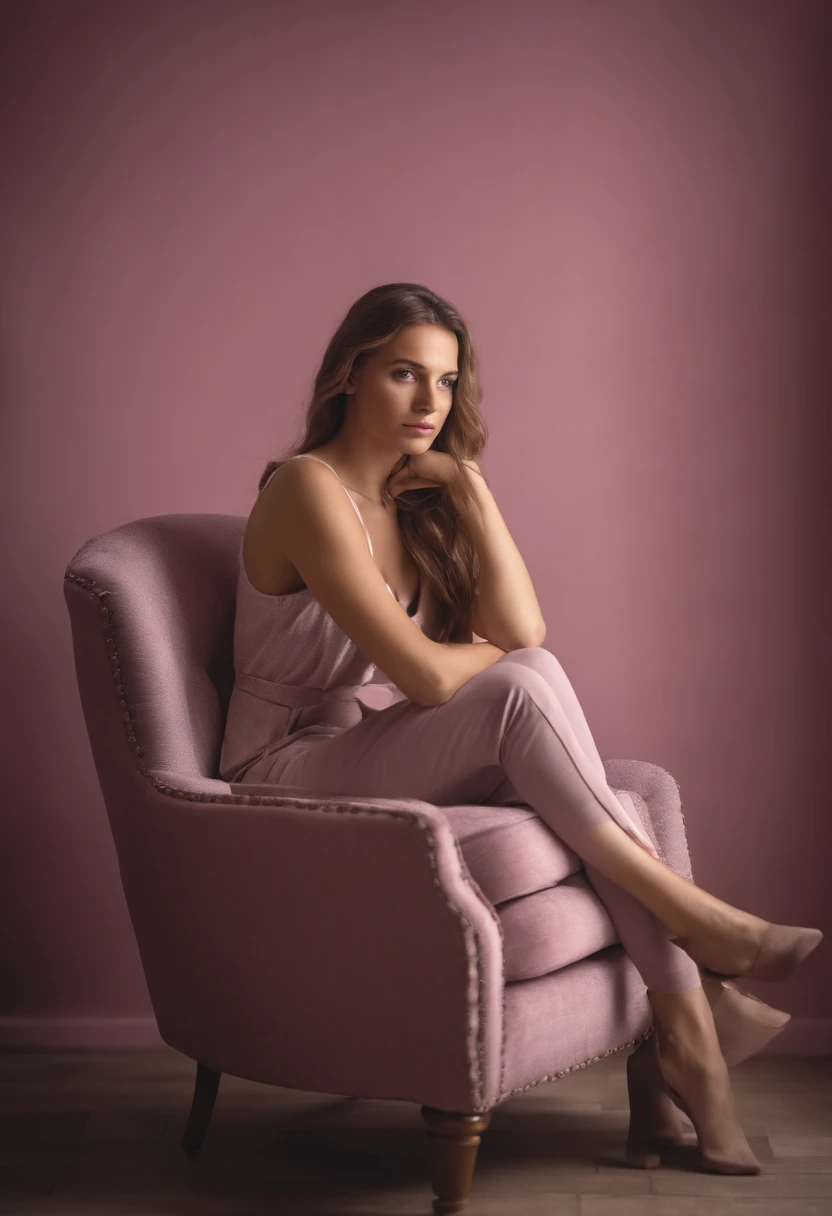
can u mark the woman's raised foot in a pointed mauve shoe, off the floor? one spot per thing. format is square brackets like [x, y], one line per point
[739, 944]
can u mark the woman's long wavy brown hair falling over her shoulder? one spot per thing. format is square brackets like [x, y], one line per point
[432, 520]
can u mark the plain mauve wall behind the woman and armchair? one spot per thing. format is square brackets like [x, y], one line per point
[628, 204]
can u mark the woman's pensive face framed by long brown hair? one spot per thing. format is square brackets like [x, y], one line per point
[411, 380]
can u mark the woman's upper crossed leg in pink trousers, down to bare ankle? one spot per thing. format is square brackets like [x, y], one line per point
[508, 722]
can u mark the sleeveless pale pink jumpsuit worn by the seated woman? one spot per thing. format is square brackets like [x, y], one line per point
[296, 717]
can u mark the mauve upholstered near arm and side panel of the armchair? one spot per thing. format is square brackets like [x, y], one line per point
[336, 945]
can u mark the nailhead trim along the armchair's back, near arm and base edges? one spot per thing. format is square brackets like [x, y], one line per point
[353, 808]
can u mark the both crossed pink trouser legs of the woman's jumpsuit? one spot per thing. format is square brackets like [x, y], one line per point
[519, 720]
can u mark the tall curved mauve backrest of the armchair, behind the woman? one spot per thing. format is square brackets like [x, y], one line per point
[151, 607]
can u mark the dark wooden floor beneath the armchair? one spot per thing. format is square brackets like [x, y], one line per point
[98, 1134]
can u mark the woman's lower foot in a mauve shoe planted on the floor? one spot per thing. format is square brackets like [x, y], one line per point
[698, 1079]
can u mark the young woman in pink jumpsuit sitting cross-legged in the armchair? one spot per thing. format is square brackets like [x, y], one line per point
[380, 544]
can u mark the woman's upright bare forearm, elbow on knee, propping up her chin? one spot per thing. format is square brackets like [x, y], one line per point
[507, 612]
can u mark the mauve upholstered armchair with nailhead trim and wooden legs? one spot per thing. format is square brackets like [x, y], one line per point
[451, 956]
